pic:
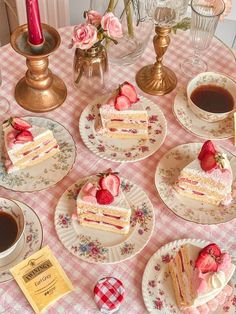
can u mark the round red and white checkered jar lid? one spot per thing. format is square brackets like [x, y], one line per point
[109, 294]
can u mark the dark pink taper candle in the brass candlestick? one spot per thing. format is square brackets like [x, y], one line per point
[34, 24]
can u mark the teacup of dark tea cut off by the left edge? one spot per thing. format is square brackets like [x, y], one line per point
[12, 226]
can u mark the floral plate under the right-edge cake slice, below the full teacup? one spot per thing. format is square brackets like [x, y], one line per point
[167, 172]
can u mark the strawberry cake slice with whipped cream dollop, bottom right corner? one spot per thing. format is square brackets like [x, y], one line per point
[200, 278]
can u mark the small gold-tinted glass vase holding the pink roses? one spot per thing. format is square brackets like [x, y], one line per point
[91, 69]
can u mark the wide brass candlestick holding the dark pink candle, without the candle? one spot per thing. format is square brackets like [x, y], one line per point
[39, 90]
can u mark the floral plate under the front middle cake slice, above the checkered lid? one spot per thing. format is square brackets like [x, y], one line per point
[97, 246]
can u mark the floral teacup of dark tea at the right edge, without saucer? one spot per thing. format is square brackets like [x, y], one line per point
[212, 96]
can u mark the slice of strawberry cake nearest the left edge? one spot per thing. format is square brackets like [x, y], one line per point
[26, 145]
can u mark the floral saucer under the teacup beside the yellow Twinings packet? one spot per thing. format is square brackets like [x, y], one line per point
[30, 243]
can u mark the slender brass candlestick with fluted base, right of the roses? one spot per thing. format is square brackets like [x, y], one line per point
[157, 79]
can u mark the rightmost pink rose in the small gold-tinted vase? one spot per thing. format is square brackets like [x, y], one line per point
[111, 25]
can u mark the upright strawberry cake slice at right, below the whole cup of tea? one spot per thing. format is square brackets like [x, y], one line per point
[208, 178]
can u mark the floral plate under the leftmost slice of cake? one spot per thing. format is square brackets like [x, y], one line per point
[48, 172]
